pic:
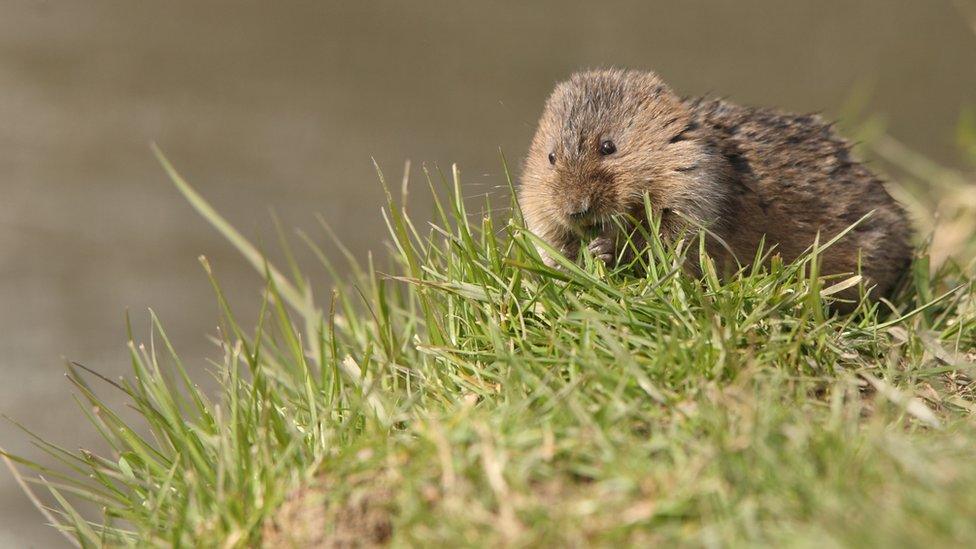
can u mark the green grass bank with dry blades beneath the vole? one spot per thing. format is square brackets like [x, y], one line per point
[465, 394]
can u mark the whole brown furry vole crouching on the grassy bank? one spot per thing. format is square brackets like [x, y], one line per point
[744, 173]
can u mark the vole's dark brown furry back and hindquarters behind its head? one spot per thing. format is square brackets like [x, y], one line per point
[792, 176]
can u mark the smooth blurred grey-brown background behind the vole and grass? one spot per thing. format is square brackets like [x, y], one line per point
[281, 106]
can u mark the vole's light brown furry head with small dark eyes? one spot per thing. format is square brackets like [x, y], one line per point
[605, 140]
